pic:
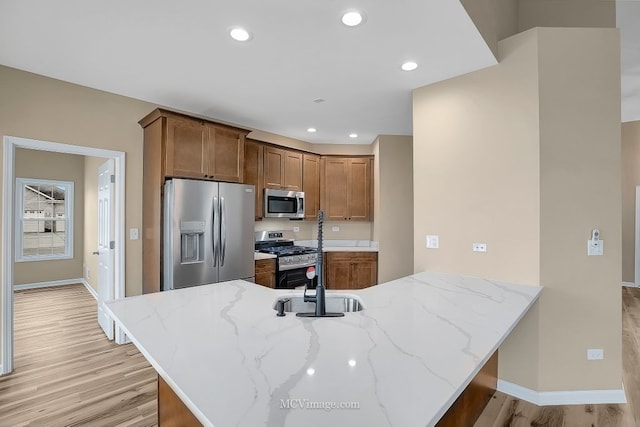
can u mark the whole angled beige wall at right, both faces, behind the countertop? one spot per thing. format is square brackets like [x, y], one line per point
[503, 156]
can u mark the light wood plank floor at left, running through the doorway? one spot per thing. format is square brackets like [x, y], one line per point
[66, 372]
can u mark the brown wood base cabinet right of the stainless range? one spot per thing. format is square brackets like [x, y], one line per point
[350, 270]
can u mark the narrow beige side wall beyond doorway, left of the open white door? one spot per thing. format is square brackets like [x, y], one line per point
[90, 261]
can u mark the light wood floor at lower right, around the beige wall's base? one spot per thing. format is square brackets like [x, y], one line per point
[507, 411]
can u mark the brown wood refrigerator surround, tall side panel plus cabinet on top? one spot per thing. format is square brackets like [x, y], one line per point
[176, 145]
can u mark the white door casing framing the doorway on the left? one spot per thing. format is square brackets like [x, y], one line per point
[10, 144]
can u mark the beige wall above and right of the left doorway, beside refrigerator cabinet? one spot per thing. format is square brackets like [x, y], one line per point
[45, 109]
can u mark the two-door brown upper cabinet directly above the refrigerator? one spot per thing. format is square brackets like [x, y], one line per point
[194, 148]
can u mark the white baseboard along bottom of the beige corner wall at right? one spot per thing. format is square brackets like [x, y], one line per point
[572, 397]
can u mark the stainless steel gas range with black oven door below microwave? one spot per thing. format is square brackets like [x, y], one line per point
[292, 261]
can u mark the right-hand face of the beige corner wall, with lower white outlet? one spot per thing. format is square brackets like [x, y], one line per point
[580, 187]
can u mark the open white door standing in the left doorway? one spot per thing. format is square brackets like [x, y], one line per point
[106, 243]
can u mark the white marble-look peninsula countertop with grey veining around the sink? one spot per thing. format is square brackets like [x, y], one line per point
[402, 360]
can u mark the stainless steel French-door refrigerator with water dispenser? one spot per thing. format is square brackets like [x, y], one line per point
[208, 232]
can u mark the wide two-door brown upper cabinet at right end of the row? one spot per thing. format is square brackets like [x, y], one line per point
[346, 188]
